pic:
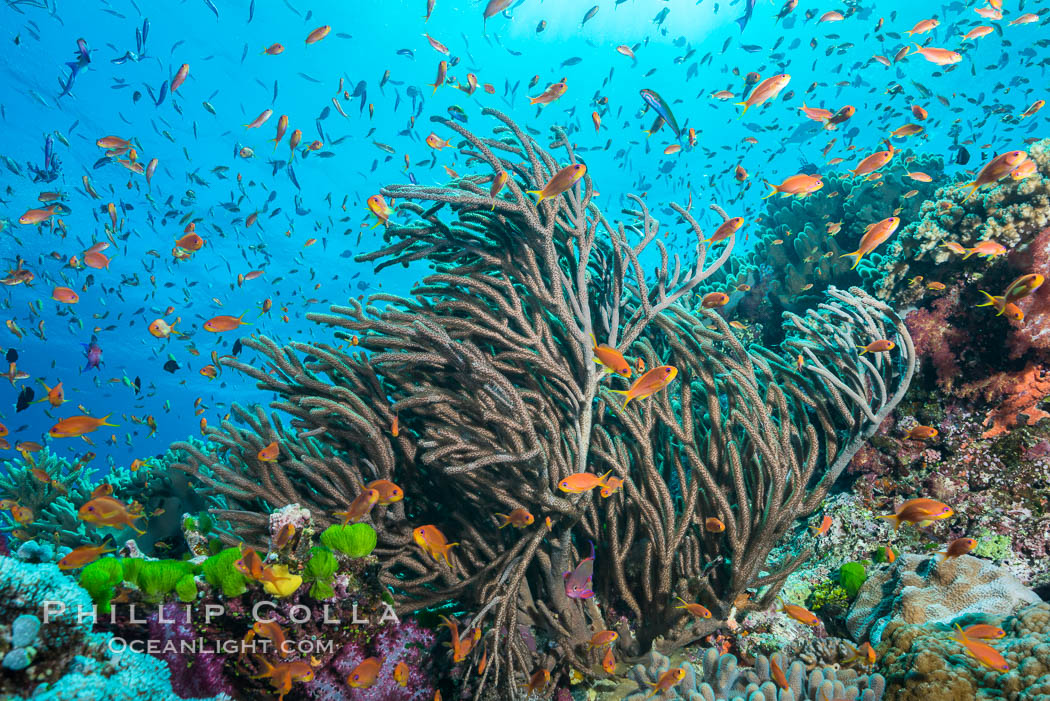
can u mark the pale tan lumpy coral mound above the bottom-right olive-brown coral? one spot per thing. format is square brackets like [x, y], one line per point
[920, 589]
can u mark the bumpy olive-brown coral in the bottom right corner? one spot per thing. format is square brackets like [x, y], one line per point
[922, 664]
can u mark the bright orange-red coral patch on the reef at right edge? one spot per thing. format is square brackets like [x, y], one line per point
[1017, 395]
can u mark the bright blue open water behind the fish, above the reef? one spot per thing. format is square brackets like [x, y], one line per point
[684, 51]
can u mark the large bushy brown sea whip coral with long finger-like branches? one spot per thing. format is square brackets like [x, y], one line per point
[489, 369]
